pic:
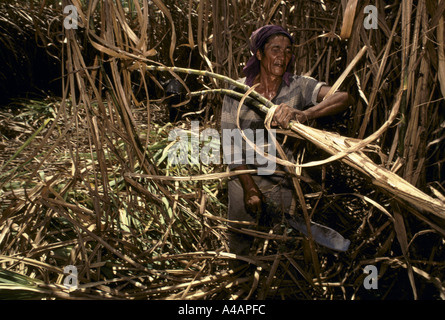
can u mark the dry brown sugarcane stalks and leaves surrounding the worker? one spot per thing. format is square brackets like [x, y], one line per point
[91, 186]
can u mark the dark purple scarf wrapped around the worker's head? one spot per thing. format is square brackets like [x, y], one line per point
[257, 40]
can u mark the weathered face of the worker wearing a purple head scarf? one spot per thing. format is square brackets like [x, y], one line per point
[277, 55]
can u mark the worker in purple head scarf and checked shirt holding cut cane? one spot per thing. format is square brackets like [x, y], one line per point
[299, 98]
